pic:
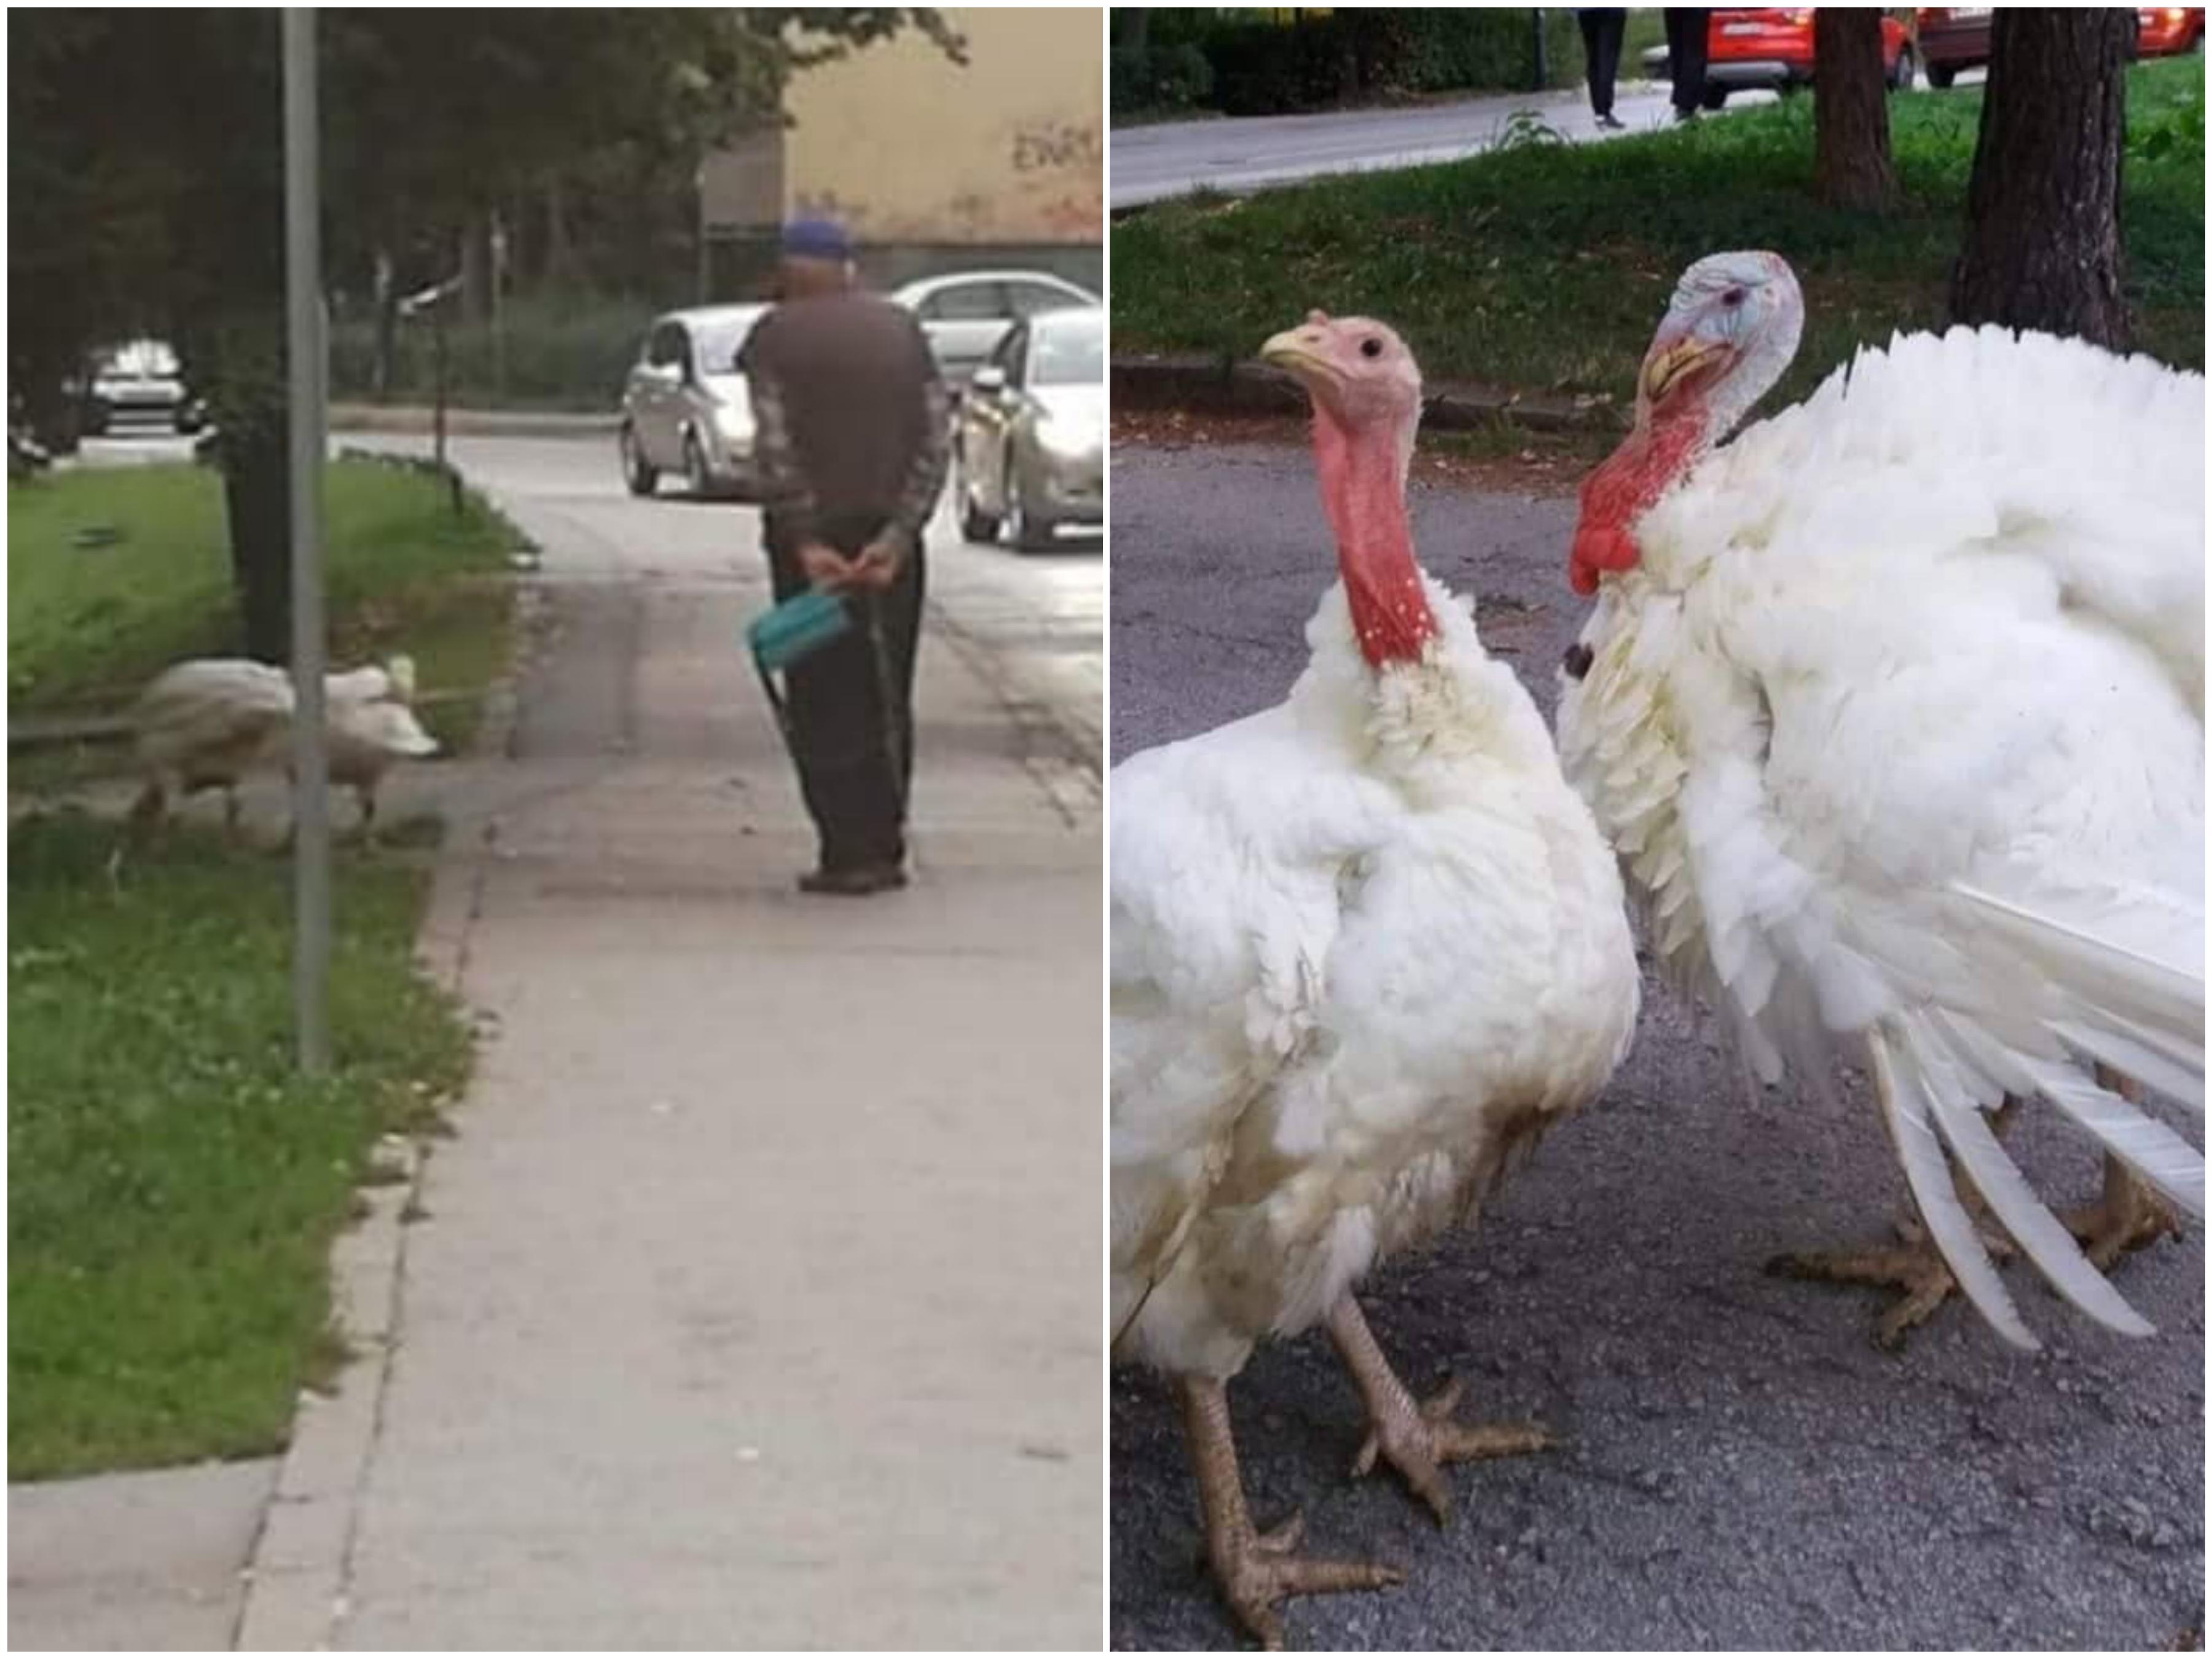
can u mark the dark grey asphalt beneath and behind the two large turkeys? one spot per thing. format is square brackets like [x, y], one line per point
[1742, 1468]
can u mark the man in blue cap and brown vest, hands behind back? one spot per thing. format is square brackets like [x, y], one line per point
[853, 432]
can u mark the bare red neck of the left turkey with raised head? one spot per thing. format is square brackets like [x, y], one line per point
[1364, 492]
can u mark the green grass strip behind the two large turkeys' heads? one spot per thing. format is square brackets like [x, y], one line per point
[1547, 267]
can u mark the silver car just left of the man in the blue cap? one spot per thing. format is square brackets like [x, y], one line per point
[687, 408]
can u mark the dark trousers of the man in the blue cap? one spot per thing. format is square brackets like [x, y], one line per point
[853, 713]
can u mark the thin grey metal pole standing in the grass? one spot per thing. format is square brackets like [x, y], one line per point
[304, 368]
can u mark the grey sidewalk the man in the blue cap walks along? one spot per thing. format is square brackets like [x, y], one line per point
[758, 1302]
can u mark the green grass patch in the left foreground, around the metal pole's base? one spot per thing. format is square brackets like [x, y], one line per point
[174, 1187]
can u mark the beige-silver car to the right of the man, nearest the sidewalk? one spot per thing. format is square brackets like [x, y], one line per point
[1030, 441]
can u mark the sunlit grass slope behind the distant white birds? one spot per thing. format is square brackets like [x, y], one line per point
[87, 627]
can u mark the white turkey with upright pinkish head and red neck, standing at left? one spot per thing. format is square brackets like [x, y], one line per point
[1366, 946]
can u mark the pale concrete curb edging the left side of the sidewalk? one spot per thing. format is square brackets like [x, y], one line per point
[298, 1576]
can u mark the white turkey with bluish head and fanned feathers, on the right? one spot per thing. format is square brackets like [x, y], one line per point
[1895, 713]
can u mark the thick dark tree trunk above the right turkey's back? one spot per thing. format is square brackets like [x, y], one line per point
[2043, 211]
